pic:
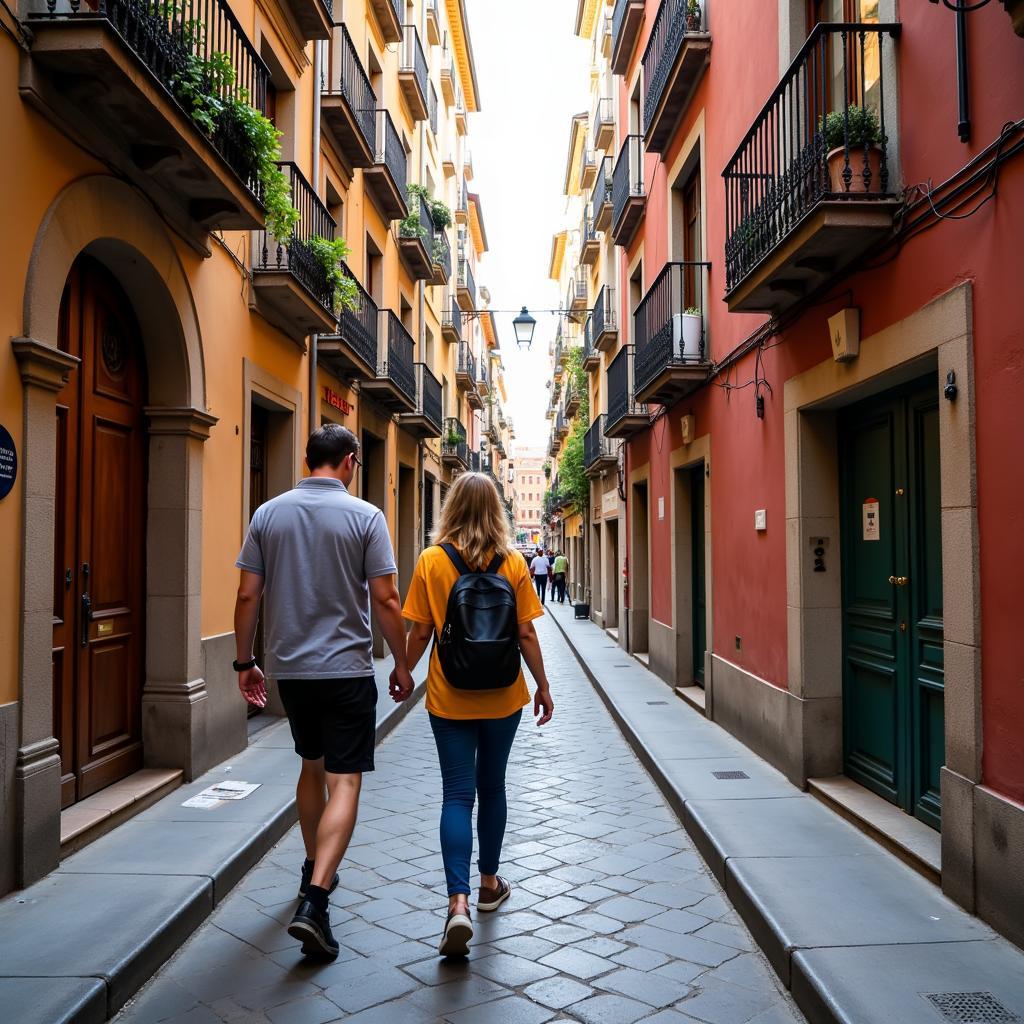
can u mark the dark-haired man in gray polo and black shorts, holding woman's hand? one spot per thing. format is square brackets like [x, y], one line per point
[319, 558]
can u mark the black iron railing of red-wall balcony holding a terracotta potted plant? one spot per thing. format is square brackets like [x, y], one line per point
[822, 137]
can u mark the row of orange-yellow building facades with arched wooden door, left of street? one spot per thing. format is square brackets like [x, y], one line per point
[168, 356]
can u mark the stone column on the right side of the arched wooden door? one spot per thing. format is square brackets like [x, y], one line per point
[175, 699]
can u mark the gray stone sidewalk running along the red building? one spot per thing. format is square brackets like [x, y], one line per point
[847, 926]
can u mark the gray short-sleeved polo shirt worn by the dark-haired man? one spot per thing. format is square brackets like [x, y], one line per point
[317, 546]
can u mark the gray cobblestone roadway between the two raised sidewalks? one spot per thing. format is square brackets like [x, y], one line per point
[614, 917]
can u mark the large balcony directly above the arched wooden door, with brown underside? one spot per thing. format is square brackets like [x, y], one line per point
[113, 81]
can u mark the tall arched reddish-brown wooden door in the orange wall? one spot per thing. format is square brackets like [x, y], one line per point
[100, 538]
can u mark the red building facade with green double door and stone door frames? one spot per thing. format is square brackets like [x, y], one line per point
[818, 390]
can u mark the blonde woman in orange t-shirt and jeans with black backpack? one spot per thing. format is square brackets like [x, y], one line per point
[473, 592]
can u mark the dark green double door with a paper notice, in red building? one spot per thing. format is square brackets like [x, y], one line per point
[892, 598]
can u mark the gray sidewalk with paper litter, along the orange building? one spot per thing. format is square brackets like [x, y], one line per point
[75, 947]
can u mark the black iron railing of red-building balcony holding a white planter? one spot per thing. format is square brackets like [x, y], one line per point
[669, 323]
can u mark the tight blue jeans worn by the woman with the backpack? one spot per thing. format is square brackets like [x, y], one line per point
[474, 756]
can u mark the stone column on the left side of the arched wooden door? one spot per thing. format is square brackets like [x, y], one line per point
[37, 774]
